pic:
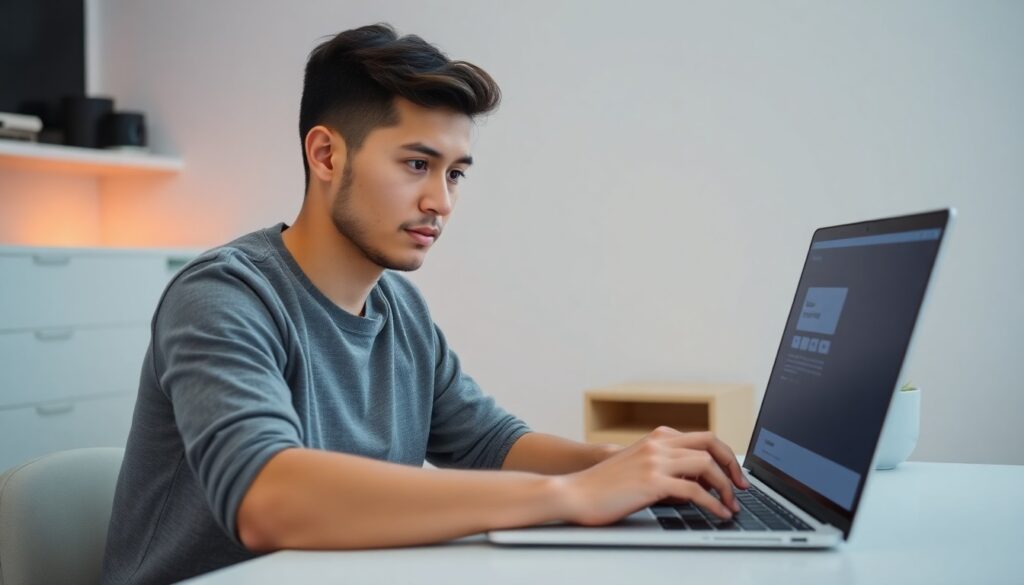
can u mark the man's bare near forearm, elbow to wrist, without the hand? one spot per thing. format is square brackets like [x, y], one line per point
[322, 500]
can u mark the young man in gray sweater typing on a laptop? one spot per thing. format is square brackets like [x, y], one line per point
[295, 384]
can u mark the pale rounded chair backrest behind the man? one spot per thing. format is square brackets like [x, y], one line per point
[55, 512]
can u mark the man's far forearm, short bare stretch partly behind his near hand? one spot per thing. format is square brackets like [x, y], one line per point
[552, 455]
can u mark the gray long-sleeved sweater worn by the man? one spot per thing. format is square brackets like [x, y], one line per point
[248, 358]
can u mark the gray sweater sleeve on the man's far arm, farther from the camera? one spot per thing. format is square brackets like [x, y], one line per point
[468, 430]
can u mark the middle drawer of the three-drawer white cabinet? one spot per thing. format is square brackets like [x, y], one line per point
[47, 365]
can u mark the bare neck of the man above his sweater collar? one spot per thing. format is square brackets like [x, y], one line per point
[331, 262]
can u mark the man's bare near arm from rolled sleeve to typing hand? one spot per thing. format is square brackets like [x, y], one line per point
[321, 500]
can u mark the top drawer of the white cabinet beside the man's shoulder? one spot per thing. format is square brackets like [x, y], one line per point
[57, 289]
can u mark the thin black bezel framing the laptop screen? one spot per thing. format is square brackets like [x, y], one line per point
[799, 494]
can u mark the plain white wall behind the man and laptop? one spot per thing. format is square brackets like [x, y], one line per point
[645, 198]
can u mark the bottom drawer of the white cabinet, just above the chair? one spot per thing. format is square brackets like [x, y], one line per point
[29, 433]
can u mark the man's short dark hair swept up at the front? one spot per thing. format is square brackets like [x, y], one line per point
[353, 79]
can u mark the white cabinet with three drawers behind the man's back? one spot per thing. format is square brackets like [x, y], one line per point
[74, 330]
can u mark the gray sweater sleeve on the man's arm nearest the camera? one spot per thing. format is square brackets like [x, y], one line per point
[220, 356]
